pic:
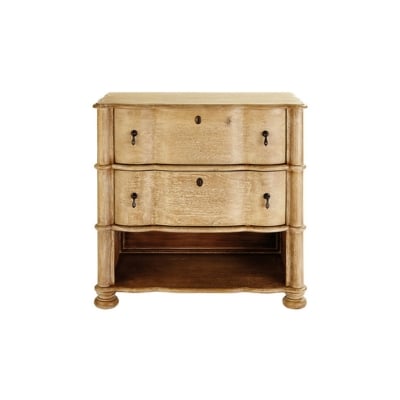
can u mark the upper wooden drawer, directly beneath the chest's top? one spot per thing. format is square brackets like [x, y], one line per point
[200, 135]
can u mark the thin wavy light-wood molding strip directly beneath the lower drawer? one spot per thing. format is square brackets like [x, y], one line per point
[200, 229]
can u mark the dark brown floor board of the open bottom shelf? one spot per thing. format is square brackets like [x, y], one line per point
[200, 272]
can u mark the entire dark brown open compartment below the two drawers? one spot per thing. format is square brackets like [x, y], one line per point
[200, 262]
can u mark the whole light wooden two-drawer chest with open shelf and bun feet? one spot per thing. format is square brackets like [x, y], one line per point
[200, 192]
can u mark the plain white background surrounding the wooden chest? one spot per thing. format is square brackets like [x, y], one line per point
[60, 57]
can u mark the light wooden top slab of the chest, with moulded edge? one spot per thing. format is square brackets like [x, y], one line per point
[183, 99]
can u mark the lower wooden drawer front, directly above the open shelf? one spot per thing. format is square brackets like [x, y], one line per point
[200, 198]
